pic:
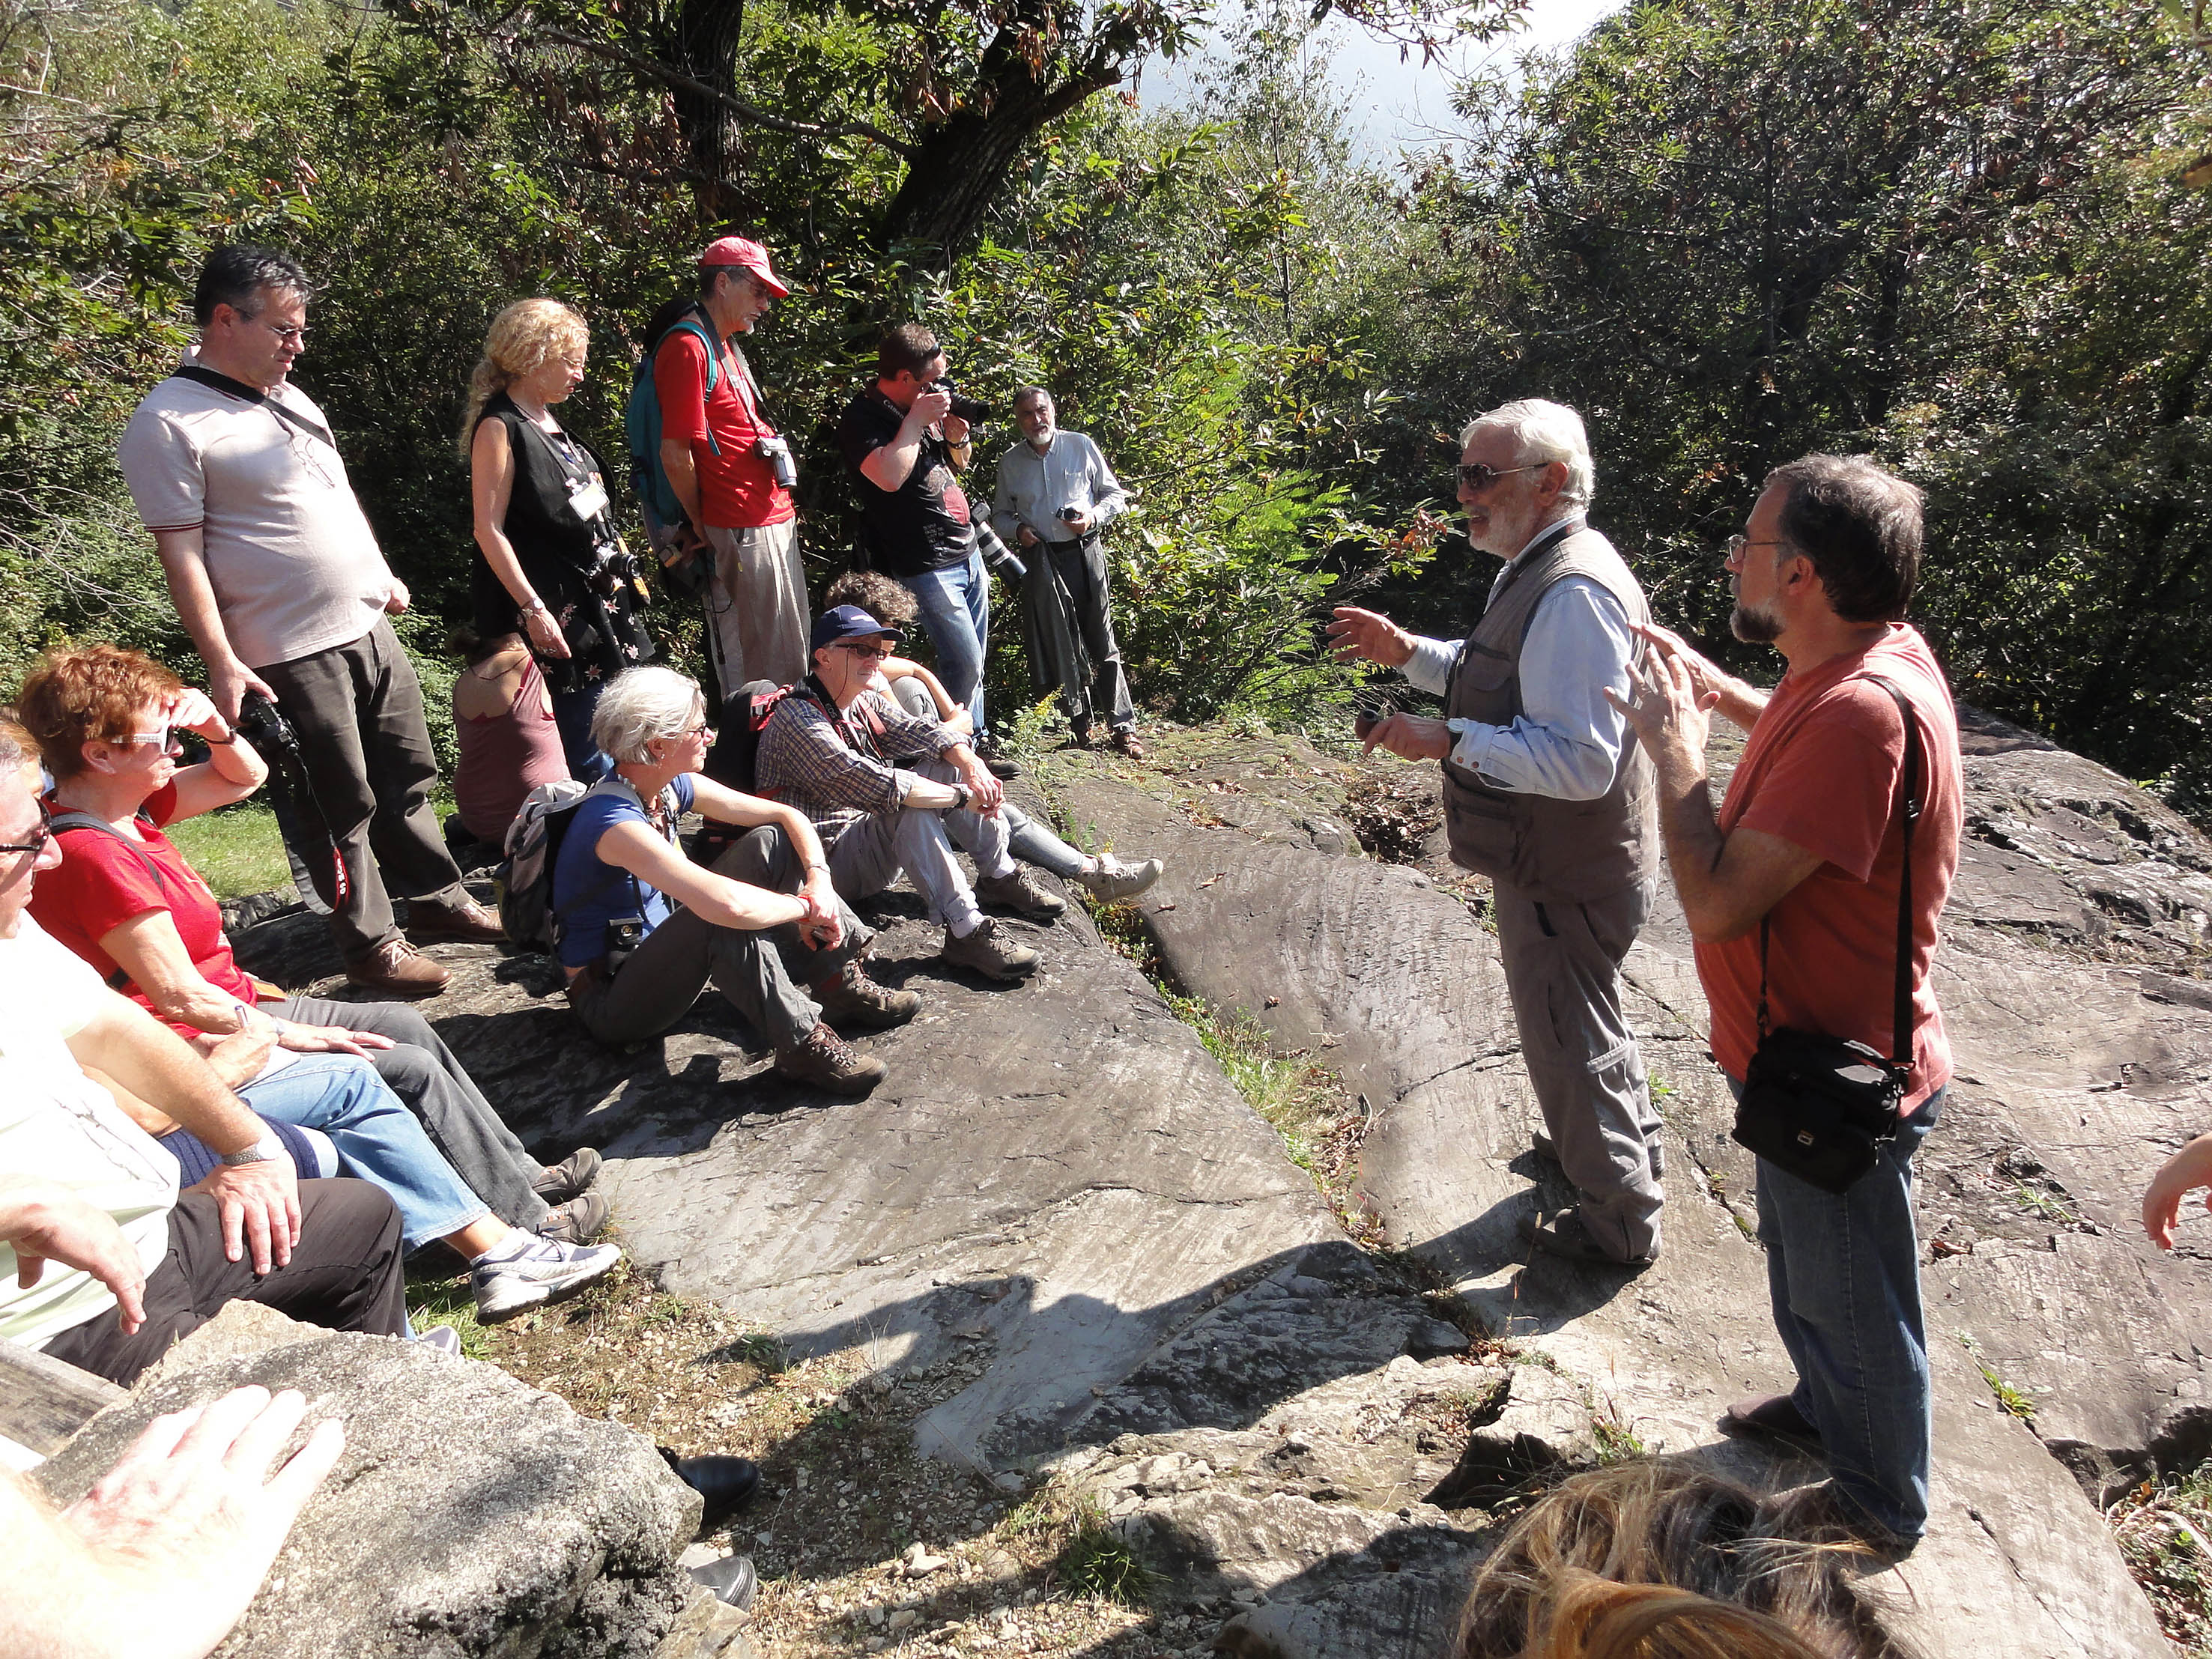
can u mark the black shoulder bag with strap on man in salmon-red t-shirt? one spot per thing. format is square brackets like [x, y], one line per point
[1822, 1107]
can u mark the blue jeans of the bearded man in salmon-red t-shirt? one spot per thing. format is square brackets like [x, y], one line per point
[1844, 1273]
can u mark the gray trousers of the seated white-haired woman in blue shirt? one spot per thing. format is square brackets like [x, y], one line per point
[760, 974]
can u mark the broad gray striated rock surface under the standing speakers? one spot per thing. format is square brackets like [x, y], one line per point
[1061, 1196]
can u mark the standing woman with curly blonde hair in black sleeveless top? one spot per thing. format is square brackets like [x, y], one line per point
[547, 561]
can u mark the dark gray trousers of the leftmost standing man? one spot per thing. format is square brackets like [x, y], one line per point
[359, 718]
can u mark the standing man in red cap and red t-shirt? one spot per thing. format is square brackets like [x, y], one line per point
[722, 461]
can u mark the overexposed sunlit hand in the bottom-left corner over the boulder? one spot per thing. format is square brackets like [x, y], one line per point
[191, 1519]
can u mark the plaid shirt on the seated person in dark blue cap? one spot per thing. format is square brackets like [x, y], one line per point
[839, 769]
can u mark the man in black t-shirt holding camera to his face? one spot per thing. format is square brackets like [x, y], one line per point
[908, 441]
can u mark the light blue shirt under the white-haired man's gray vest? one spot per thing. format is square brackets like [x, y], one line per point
[1569, 740]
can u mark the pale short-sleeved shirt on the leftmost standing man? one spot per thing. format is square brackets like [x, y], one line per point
[291, 559]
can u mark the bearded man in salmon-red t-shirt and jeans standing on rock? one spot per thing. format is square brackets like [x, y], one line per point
[1808, 848]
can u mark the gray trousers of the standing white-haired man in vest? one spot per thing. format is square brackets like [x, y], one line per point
[1565, 977]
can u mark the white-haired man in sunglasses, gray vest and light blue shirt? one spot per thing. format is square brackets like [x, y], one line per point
[1550, 797]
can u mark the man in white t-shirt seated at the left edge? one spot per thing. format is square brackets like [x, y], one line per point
[114, 1300]
